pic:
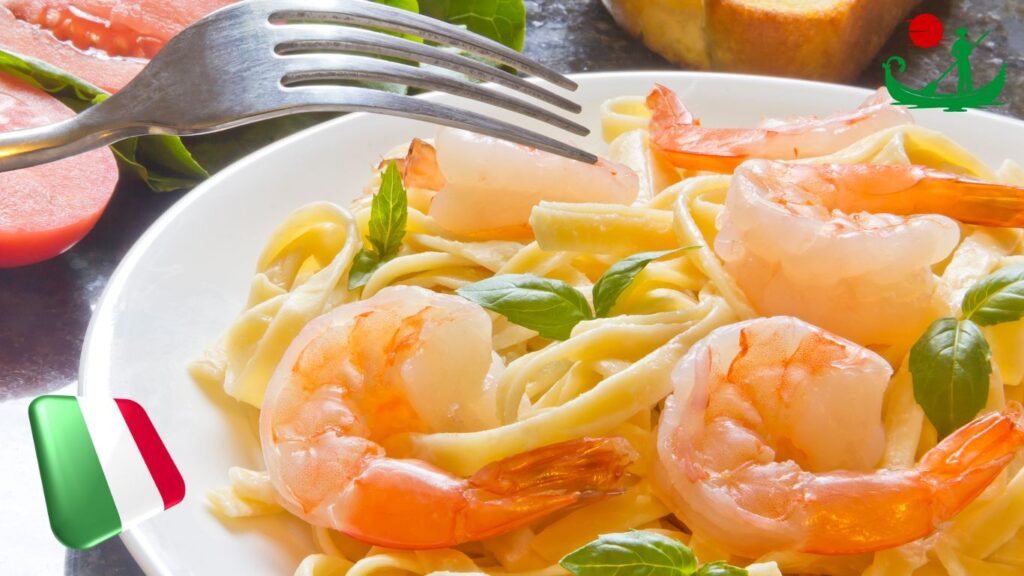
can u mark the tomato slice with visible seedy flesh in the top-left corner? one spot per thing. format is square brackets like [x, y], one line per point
[104, 43]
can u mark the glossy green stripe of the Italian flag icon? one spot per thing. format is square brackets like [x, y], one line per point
[78, 500]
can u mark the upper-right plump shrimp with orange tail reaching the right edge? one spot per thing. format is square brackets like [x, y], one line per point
[849, 248]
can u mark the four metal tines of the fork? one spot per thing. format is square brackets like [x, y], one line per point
[317, 51]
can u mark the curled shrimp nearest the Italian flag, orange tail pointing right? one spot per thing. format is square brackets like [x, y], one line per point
[410, 360]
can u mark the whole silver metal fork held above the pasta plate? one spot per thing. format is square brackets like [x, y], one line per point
[265, 59]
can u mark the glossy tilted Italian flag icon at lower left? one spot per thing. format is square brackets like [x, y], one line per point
[103, 465]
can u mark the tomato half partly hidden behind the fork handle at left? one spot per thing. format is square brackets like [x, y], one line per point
[47, 210]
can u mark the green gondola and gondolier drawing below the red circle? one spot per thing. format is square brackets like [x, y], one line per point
[966, 97]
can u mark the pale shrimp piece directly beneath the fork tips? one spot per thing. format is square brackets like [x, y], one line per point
[493, 185]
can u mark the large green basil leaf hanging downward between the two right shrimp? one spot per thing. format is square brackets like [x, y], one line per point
[951, 364]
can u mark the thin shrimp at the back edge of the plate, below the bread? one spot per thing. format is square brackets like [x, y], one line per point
[688, 145]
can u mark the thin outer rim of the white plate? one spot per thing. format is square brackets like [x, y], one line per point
[139, 546]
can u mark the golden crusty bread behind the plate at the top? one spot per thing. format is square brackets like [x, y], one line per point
[819, 39]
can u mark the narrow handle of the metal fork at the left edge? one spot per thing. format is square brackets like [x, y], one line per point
[89, 131]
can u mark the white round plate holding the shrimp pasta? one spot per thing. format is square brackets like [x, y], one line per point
[188, 277]
